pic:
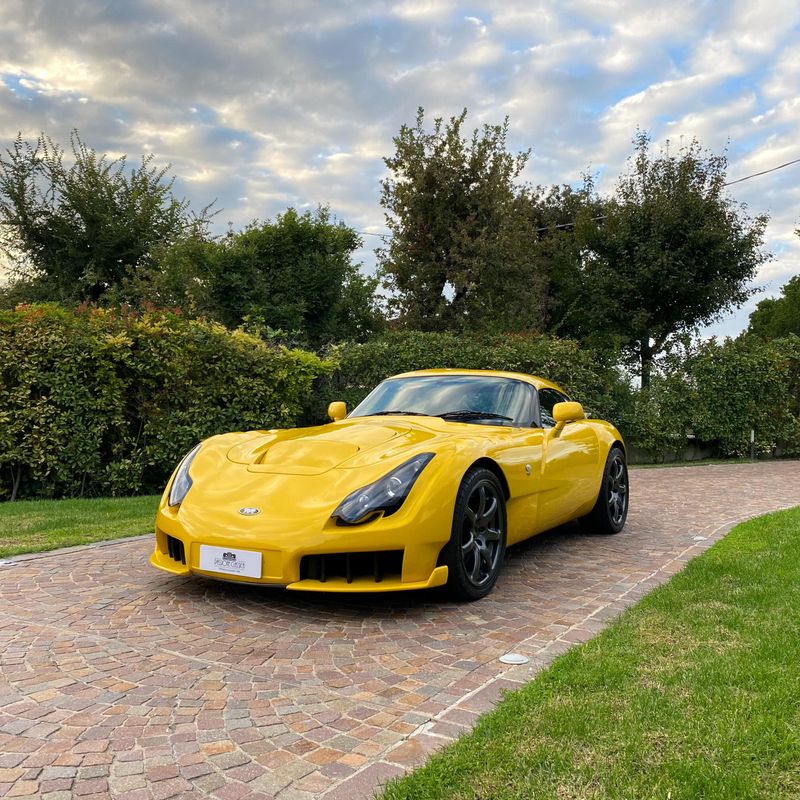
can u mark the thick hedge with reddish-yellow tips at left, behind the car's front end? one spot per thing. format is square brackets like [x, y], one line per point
[94, 401]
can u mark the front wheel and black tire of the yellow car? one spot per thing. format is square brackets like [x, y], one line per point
[475, 553]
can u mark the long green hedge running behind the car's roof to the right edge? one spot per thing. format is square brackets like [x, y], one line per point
[713, 392]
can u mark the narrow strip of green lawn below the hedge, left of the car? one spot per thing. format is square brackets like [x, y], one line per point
[32, 526]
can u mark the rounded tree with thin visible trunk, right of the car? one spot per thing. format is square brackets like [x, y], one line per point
[672, 252]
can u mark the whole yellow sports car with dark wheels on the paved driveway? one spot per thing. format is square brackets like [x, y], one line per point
[423, 484]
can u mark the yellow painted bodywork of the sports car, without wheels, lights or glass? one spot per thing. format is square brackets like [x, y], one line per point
[296, 478]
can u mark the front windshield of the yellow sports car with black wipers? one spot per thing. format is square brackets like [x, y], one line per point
[482, 399]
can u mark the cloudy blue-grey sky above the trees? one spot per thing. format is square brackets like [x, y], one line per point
[263, 105]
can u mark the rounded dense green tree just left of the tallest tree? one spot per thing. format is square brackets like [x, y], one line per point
[297, 274]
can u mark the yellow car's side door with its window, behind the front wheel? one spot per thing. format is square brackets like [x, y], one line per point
[569, 465]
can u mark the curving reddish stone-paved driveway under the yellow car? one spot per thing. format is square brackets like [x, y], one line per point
[118, 681]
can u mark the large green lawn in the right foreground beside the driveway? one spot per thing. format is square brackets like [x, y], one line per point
[693, 693]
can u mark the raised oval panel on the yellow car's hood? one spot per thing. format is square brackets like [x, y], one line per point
[310, 451]
